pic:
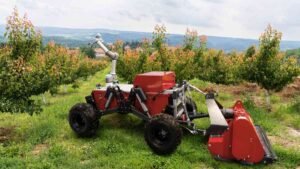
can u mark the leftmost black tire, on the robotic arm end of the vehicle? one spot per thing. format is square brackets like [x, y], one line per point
[83, 120]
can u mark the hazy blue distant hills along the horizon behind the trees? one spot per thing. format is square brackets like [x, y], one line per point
[72, 37]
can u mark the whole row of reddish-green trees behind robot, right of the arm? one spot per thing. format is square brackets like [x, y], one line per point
[268, 67]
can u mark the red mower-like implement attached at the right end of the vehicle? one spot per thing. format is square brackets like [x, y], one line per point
[242, 140]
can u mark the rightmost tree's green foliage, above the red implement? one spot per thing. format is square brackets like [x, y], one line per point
[269, 68]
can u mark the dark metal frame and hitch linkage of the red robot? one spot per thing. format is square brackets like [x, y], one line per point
[178, 94]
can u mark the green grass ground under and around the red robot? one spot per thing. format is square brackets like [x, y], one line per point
[45, 140]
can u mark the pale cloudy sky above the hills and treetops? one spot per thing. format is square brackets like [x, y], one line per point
[229, 18]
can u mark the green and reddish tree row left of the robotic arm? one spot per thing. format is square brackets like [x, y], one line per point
[26, 70]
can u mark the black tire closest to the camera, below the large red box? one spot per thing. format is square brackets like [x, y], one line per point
[163, 134]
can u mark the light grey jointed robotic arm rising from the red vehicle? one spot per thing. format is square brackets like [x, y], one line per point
[112, 77]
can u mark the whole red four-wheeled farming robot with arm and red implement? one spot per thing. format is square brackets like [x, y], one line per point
[166, 109]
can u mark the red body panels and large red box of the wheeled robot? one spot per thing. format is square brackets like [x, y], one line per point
[152, 83]
